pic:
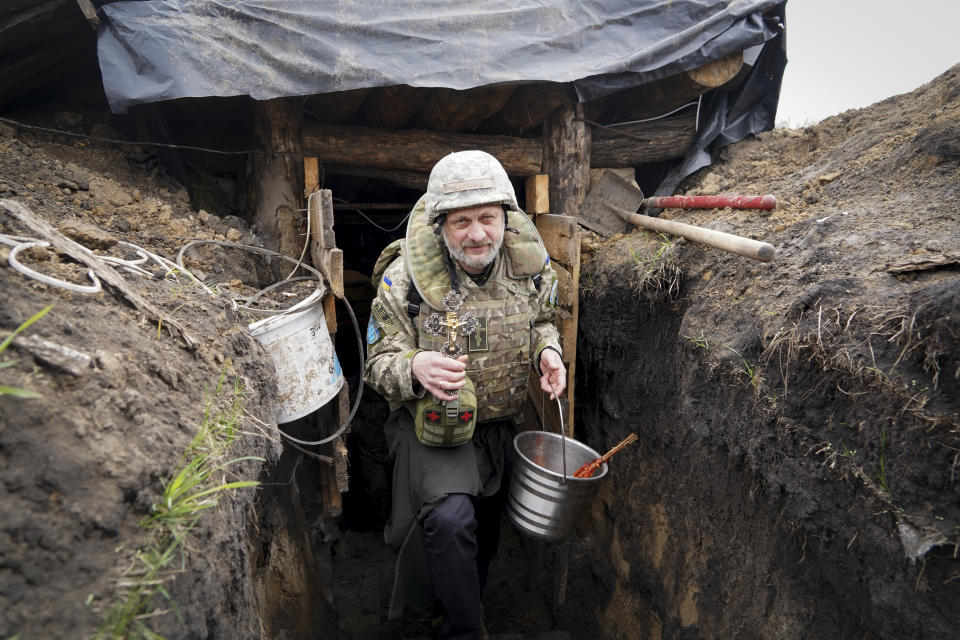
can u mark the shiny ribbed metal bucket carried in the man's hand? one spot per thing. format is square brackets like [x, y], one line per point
[543, 503]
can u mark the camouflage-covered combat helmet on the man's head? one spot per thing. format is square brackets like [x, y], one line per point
[467, 179]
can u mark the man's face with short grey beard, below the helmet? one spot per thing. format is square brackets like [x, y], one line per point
[474, 235]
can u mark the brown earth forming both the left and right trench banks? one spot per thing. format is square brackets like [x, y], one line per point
[796, 473]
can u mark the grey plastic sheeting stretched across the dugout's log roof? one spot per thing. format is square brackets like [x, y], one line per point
[159, 50]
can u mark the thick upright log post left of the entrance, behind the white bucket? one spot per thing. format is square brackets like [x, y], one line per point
[277, 180]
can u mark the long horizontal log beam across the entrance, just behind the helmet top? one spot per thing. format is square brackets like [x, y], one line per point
[414, 149]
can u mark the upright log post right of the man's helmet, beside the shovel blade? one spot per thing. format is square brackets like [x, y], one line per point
[566, 158]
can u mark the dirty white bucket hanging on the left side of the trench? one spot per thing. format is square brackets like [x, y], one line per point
[308, 372]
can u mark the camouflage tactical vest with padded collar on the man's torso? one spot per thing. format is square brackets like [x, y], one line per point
[506, 305]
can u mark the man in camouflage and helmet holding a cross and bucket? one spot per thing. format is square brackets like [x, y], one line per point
[461, 314]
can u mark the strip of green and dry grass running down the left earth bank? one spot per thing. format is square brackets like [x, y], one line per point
[194, 488]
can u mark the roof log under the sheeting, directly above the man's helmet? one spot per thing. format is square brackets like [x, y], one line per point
[452, 110]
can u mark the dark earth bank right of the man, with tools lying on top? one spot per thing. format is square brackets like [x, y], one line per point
[797, 470]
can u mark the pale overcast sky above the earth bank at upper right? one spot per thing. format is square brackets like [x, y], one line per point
[846, 54]
